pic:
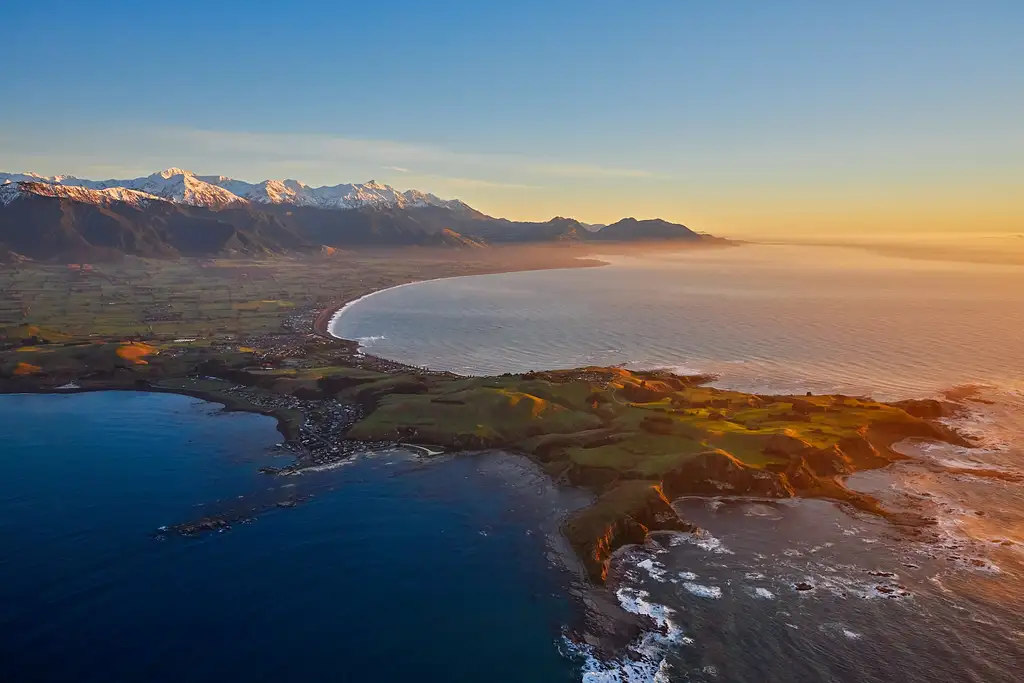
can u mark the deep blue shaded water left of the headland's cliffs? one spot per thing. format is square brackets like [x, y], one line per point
[405, 573]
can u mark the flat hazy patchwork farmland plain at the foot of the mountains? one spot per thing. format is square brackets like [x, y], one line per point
[209, 298]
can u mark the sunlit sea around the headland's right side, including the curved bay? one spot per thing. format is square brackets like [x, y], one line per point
[947, 607]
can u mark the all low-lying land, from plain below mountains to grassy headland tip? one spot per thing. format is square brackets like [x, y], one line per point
[244, 335]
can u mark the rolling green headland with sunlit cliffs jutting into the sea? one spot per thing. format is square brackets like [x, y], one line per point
[638, 440]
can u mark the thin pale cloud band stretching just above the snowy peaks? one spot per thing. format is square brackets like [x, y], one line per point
[318, 159]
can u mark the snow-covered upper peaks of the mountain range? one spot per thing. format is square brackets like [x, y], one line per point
[218, 192]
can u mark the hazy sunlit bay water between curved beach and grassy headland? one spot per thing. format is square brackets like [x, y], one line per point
[761, 317]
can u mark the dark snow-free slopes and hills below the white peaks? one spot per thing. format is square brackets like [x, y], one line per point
[40, 226]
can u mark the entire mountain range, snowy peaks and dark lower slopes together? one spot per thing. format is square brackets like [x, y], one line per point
[178, 214]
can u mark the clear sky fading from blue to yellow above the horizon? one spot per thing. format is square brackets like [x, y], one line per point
[740, 118]
